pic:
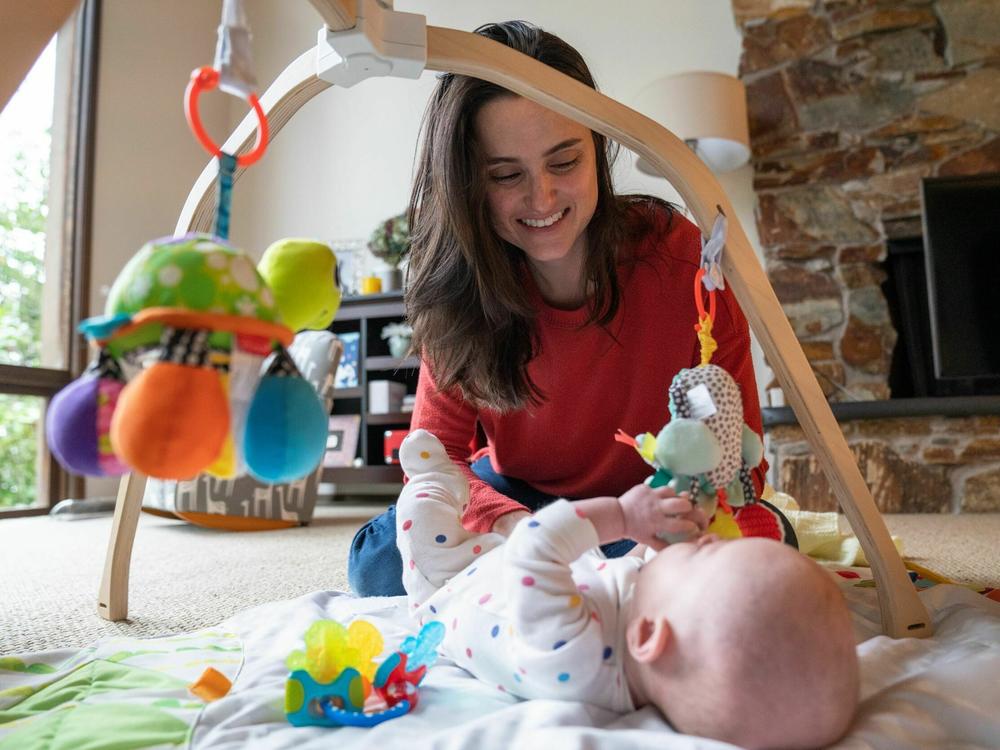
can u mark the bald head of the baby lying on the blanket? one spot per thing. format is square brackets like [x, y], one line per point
[746, 641]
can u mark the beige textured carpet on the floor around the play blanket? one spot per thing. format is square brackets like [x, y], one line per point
[185, 578]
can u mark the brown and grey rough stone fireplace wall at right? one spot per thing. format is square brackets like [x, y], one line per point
[852, 103]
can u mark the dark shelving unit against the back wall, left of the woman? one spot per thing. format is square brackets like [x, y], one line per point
[367, 315]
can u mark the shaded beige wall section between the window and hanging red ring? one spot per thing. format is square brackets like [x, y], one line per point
[145, 157]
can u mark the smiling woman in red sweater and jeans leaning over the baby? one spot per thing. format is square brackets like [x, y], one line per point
[549, 312]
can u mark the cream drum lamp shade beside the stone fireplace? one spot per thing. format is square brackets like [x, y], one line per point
[708, 110]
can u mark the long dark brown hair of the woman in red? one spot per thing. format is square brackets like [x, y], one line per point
[466, 299]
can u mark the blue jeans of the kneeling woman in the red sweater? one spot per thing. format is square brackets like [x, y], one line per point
[374, 567]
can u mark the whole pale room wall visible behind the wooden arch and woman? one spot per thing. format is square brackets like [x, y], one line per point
[344, 162]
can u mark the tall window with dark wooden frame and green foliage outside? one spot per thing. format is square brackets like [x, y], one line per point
[44, 179]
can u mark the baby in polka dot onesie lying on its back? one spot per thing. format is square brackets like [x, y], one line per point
[746, 641]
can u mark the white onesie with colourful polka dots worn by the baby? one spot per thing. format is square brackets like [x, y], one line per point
[539, 615]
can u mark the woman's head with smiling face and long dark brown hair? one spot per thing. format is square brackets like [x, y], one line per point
[491, 164]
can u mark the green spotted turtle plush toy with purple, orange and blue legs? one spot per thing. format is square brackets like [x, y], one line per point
[192, 373]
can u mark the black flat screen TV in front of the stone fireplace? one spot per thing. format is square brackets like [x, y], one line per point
[961, 223]
